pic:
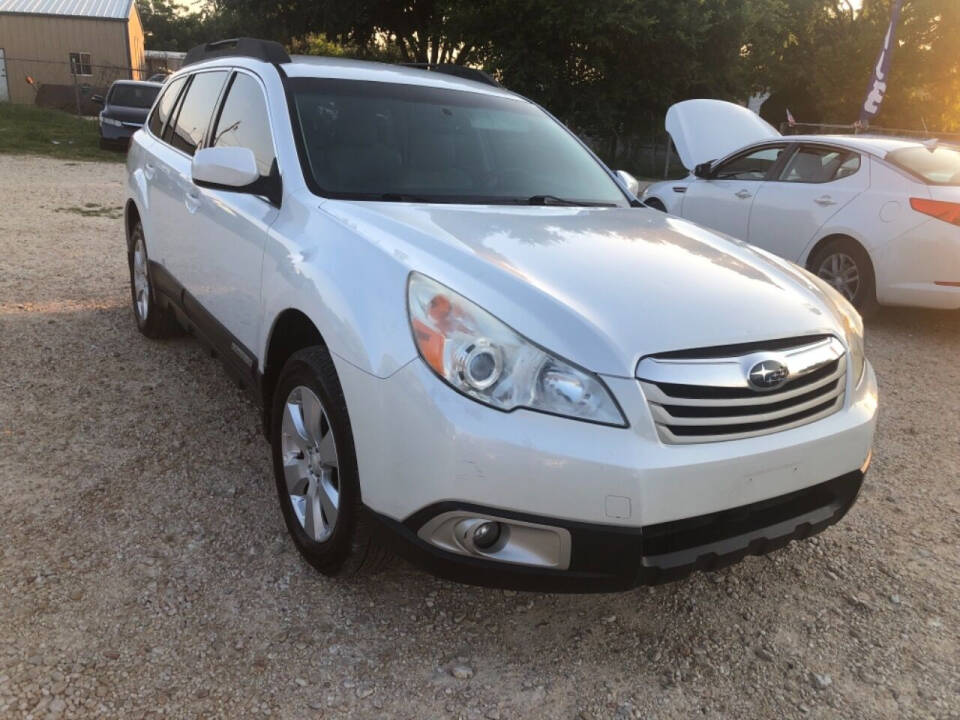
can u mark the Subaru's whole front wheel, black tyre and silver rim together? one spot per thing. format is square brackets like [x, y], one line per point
[315, 468]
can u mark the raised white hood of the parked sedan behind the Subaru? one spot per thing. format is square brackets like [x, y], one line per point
[705, 130]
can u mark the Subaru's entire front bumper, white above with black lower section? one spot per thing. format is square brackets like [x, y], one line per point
[422, 448]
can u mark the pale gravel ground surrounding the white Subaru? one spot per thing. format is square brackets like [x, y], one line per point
[145, 570]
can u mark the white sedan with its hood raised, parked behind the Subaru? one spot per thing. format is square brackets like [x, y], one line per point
[876, 217]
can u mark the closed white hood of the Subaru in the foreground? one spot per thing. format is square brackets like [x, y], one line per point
[602, 287]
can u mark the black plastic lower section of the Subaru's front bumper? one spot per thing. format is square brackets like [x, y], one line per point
[609, 558]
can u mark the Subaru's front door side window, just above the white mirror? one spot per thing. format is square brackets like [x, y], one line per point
[243, 122]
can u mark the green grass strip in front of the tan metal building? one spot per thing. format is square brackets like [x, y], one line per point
[30, 130]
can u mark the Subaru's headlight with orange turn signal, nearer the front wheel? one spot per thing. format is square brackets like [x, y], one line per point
[486, 360]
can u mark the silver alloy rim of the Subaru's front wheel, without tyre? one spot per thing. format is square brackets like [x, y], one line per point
[310, 466]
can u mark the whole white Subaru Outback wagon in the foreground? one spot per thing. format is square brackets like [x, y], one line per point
[470, 343]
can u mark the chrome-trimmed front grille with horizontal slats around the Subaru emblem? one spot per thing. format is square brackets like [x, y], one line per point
[697, 397]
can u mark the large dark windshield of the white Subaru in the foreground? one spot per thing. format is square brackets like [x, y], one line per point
[387, 141]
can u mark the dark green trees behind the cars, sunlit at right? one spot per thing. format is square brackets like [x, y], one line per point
[609, 67]
